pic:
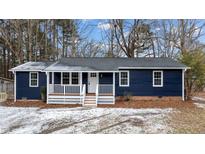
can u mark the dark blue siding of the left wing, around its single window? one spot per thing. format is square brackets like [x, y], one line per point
[23, 89]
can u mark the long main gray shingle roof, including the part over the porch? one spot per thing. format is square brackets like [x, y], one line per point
[112, 64]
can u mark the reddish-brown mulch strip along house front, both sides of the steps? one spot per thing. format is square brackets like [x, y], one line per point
[118, 104]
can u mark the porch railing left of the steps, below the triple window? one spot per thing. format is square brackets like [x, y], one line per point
[63, 89]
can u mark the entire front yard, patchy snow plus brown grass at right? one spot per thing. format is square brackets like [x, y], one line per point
[180, 119]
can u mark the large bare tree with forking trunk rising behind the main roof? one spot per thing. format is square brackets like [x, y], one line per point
[133, 36]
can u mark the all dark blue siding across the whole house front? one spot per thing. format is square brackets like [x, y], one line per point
[140, 83]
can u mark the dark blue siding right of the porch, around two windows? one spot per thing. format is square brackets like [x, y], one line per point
[141, 84]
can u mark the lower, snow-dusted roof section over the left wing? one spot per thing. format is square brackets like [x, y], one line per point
[32, 66]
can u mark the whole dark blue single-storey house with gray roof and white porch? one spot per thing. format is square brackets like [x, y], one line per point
[92, 81]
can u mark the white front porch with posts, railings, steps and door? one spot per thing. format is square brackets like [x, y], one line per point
[91, 93]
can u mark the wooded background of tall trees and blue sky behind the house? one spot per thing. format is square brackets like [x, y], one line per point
[48, 40]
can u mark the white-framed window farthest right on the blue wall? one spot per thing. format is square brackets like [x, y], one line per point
[157, 78]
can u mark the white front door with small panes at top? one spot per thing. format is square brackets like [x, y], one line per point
[92, 82]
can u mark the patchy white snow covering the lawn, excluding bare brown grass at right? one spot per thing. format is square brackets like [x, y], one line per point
[82, 120]
